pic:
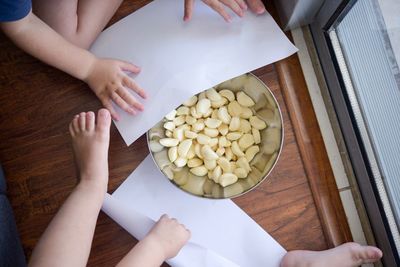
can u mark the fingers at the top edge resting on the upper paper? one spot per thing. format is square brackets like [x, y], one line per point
[237, 6]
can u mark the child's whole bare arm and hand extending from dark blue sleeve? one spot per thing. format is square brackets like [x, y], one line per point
[105, 77]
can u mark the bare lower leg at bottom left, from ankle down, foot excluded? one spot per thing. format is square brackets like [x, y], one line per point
[67, 240]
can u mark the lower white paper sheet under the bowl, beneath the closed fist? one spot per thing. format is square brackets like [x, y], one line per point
[217, 225]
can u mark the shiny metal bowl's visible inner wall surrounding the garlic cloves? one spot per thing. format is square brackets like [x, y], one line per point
[267, 109]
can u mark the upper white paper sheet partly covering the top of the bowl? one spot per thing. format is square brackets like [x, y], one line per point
[179, 59]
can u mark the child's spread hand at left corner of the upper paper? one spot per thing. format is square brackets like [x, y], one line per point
[109, 82]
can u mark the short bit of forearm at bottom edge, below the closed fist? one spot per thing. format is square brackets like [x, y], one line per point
[147, 253]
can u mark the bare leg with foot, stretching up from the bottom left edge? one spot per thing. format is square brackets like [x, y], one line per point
[67, 239]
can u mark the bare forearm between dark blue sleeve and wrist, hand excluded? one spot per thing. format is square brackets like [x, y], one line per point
[38, 39]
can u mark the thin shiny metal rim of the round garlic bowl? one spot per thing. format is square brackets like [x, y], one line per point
[261, 180]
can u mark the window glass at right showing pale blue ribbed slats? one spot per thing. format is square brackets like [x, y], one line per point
[367, 42]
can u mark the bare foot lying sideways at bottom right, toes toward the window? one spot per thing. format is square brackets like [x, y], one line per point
[346, 255]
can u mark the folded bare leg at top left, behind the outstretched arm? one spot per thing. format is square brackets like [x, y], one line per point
[79, 21]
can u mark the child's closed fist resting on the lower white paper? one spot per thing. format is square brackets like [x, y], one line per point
[169, 235]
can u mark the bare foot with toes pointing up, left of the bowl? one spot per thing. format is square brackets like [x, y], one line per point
[90, 140]
